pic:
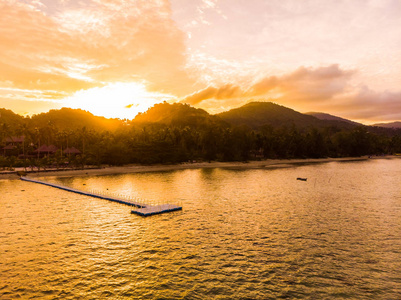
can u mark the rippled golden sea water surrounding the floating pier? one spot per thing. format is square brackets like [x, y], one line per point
[242, 234]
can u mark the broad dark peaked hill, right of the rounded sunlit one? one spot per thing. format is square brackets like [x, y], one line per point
[258, 114]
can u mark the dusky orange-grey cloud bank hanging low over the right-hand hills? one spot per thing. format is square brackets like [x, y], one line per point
[327, 89]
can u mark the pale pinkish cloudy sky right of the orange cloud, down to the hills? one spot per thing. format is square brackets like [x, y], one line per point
[276, 37]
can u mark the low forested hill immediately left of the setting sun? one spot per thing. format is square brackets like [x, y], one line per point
[71, 119]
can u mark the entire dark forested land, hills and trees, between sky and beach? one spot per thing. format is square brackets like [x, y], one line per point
[173, 133]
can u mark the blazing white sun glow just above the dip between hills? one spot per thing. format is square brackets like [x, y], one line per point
[116, 100]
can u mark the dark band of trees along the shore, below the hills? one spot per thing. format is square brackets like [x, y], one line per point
[151, 143]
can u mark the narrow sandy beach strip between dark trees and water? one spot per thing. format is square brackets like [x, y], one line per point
[262, 164]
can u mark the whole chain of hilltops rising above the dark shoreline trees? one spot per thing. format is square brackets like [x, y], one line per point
[254, 115]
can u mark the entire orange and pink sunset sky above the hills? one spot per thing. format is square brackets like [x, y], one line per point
[116, 58]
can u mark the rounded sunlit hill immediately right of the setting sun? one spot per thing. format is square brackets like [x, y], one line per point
[179, 115]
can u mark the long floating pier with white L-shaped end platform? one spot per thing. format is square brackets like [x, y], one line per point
[141, 209]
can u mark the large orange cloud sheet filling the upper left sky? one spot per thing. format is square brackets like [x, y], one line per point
[84, 44]
